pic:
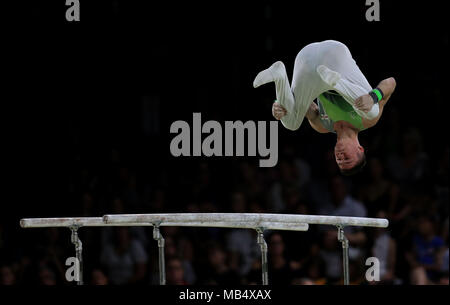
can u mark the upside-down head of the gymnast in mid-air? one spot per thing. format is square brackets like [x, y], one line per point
[350, 156]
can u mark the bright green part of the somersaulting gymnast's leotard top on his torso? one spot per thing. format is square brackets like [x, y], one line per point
[338, 109]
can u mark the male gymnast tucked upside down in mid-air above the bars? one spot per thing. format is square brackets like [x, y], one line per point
[346, 103]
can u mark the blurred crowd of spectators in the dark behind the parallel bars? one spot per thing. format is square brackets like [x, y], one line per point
[407, 184]
